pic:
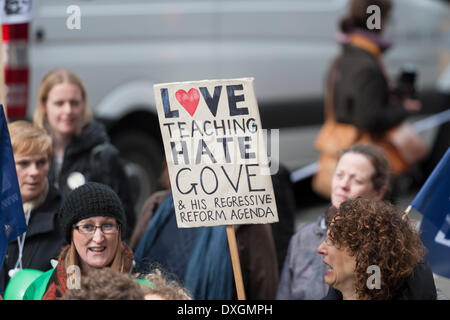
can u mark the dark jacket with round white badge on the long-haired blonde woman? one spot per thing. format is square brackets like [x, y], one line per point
[92, 155]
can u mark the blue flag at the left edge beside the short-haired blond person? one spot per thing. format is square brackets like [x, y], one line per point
[12, 217]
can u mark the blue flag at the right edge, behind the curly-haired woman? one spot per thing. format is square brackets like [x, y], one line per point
[433, 201]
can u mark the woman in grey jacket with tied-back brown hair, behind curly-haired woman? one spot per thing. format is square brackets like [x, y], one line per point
[361, 171]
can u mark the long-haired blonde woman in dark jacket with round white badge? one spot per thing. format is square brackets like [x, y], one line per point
[81, 148]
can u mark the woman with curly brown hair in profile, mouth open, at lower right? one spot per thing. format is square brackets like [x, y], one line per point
[366, 233]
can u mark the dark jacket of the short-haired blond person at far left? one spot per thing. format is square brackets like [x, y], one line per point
[43, 240]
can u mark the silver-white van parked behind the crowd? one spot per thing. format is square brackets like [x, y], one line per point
[122, 48]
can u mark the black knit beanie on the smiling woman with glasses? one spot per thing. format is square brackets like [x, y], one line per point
[90, 200]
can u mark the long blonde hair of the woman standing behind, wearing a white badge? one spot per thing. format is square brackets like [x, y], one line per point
[53, 78]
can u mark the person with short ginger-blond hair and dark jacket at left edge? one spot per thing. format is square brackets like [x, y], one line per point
[43, 241]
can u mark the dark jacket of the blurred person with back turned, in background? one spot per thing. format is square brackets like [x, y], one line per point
[361, 94]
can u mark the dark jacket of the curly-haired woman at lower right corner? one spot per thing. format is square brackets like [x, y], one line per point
[418, 286]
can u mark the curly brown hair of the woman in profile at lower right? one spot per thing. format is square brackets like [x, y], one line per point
[377, 233]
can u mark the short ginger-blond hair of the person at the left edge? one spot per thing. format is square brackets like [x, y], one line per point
[28, 139]
